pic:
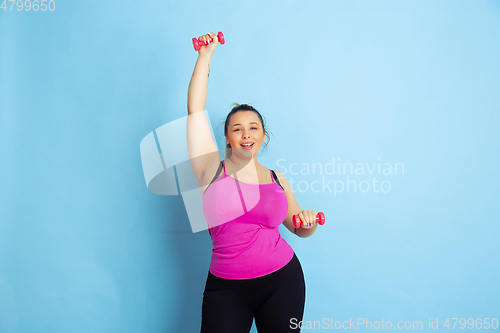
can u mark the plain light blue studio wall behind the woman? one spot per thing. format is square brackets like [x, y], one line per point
[84, 247]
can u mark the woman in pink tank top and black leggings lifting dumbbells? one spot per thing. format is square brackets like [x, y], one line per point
[254, 273]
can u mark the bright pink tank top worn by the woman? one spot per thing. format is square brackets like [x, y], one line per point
[243, 222]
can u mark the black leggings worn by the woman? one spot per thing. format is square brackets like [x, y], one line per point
[229, 306]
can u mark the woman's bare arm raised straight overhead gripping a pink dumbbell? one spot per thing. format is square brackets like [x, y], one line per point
[202, 150]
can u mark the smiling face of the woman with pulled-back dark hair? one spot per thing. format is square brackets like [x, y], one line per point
[245, 127]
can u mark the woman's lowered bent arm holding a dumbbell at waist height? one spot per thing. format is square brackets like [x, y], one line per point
[293, 209]
